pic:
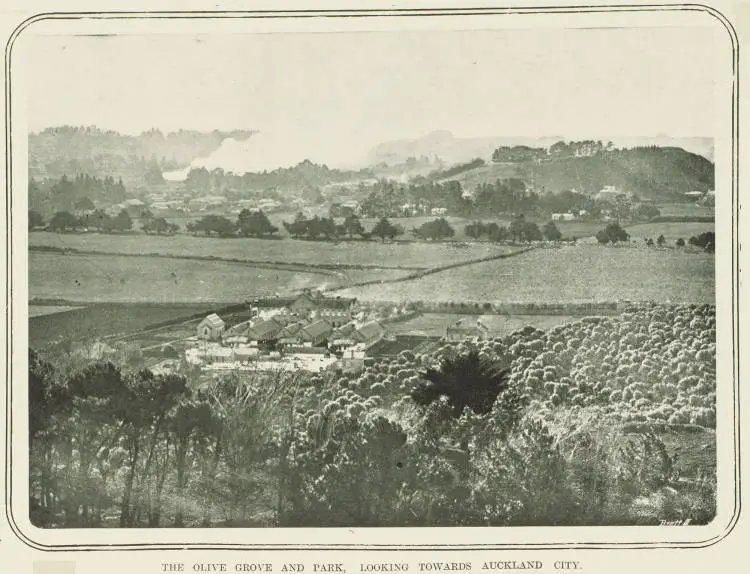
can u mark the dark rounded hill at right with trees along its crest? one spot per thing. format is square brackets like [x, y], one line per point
[650, 172]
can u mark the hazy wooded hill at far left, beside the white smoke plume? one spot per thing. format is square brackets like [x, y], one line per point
[138, 160]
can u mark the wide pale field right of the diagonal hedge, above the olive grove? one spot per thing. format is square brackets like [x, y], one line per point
[580, 273]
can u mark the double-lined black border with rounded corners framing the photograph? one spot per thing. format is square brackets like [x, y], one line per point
[367, 13]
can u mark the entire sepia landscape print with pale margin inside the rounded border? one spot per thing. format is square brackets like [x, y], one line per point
[390, 273]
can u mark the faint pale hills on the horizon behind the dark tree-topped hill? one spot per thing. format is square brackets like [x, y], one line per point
[454, 150]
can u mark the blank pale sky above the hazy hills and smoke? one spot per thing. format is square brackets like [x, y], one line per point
[332, 97]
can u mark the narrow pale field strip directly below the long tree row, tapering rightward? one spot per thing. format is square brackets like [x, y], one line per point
[345, 253]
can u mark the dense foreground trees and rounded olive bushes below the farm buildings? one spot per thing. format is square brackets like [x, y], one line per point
[560, 427]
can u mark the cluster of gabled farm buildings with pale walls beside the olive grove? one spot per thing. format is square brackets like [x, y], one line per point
[309, 332]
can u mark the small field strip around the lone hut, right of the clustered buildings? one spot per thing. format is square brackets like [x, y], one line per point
[434, 324]
